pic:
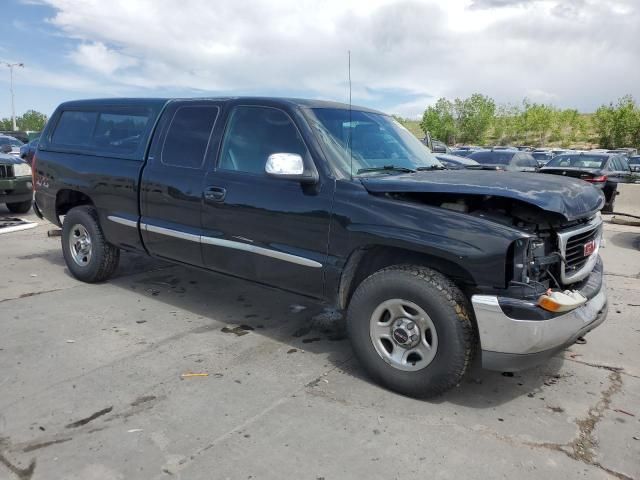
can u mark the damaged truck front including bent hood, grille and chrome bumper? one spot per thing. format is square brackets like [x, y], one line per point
[552, 291]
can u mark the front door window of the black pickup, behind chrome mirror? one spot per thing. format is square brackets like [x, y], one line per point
[254, 133]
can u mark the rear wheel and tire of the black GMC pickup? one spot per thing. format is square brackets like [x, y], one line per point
[90, 261]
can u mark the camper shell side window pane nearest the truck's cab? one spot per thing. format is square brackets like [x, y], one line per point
[119, 133]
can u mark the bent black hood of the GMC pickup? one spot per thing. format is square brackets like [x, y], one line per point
[568, 197]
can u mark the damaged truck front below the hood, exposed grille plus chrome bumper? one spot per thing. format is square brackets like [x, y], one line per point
[553, 289]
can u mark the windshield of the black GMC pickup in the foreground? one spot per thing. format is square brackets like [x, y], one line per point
[377, 141]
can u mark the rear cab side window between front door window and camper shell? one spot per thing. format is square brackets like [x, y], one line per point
[188, 136]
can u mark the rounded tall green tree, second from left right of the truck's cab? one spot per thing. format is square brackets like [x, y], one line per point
[474, 116]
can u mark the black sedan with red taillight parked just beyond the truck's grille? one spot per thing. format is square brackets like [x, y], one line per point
[603, 170]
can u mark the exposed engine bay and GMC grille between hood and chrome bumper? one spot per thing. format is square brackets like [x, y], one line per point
[551, 256]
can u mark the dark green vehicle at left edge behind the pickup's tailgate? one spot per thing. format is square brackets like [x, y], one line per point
[15, 183]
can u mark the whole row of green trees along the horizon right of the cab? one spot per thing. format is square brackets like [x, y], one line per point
[479, 120]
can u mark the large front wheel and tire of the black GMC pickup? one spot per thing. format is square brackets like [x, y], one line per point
[448, 328]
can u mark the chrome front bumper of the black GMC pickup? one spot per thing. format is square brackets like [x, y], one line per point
[510, 344]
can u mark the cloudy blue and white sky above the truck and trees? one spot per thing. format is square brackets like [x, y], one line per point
[404, 54]
